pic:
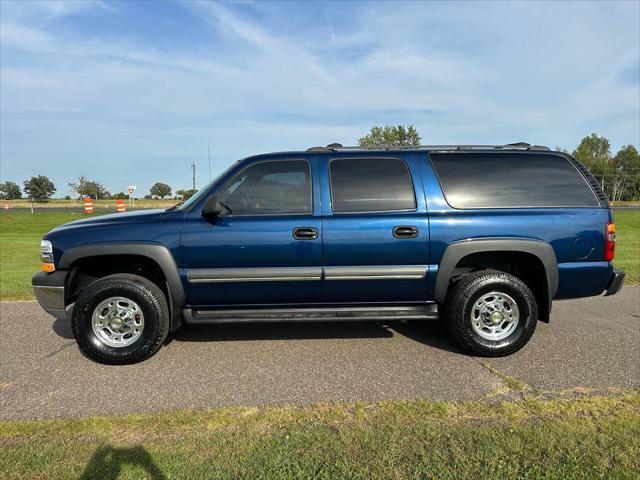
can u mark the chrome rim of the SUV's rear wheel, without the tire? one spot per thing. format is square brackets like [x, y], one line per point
[495, 315]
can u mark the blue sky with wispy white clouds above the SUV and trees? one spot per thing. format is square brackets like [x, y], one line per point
[133, 92]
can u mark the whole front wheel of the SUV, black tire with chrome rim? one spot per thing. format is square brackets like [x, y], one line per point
[120, 319]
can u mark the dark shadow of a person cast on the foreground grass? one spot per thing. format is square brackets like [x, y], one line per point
[107, 461]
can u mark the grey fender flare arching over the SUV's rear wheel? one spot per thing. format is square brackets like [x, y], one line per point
[458, 250]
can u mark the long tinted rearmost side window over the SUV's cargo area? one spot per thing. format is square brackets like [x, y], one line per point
[507, 180]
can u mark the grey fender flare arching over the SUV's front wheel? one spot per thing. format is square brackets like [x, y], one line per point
[158, 253]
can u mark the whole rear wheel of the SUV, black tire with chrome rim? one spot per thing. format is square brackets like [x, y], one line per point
[491, 313]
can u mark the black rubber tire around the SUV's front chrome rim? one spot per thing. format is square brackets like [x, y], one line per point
[149, 298]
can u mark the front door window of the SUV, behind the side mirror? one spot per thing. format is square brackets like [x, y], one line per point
[270, 188]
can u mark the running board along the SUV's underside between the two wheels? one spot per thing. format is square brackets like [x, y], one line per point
[323, 314]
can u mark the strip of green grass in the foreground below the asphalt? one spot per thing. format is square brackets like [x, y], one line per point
[588, 437]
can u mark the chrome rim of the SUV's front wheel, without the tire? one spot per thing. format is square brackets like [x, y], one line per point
[117, 322]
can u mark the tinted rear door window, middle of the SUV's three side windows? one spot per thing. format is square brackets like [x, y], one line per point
[370, 185]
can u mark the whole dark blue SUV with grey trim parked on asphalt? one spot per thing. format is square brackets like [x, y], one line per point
[482, 237]
